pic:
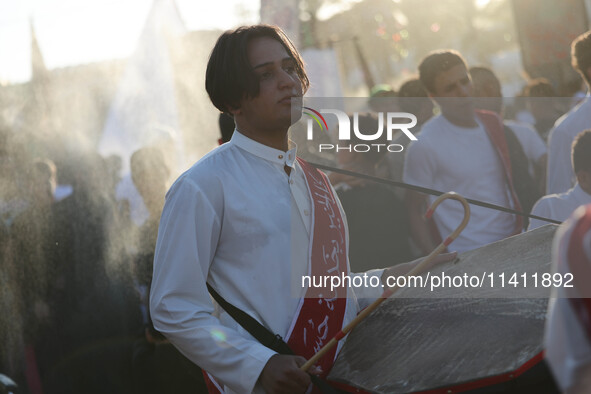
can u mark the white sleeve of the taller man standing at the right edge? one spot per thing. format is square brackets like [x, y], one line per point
[560, 172]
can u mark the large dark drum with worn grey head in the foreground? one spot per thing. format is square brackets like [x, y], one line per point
[458, 339]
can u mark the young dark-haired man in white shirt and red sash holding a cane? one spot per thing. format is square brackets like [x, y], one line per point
[250, 219]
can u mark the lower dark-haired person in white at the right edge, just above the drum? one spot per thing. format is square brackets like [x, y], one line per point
[560, 206]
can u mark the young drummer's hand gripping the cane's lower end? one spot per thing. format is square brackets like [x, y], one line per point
[282, 374]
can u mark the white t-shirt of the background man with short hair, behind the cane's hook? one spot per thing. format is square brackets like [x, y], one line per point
[451, 158]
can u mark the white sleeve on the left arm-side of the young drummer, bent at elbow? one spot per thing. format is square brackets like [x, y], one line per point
[180, 304]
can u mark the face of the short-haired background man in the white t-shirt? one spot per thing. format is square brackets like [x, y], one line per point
[452, 90]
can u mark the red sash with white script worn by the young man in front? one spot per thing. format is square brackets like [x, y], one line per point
[321, 312]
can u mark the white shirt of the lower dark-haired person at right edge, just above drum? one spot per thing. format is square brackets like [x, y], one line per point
[558, 206]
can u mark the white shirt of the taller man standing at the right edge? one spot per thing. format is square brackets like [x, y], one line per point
[561, 176]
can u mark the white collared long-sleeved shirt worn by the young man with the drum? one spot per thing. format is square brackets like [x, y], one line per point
[237, 220]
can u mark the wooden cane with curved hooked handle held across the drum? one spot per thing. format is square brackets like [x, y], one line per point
[418, 269]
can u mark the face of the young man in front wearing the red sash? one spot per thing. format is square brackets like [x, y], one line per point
[279, 86]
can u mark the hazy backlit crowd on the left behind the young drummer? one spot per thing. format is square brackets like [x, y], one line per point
[75, 273]
